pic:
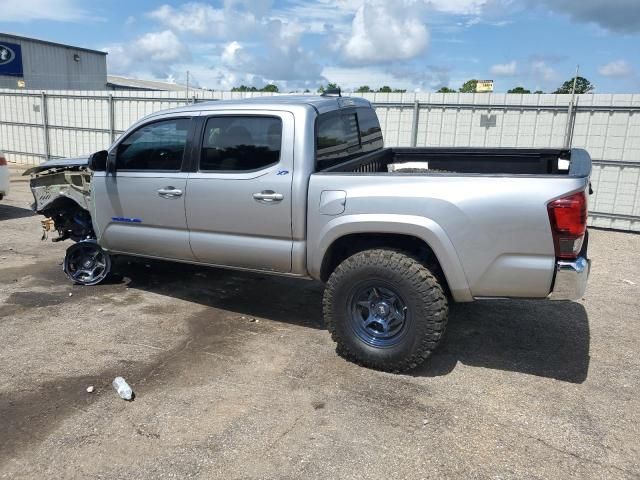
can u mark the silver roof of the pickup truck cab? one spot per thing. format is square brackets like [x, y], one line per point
[319, 103]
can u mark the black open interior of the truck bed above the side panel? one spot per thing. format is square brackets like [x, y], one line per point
[478, 161]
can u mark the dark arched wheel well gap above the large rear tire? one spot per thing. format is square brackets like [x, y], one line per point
[349, 245]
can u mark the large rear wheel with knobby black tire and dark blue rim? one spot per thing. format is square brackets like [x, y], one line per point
[385, 310]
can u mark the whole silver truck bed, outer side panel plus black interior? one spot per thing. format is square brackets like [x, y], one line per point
[488, 207]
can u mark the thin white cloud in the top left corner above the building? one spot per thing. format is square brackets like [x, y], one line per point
[52, 10]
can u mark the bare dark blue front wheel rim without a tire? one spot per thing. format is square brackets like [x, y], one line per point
[86, 263]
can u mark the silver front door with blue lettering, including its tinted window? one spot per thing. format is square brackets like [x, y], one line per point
[140, 207]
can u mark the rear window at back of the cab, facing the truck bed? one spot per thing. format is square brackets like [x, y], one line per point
[341, 135]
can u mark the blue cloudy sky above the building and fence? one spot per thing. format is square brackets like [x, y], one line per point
[417, 45]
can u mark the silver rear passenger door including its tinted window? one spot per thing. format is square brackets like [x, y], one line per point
[239, 202]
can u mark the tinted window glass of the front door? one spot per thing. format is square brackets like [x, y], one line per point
[156, 146]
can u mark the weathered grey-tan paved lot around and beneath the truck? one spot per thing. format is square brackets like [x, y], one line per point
[236, 377]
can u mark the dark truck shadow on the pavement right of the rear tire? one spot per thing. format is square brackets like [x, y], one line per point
[542, 338]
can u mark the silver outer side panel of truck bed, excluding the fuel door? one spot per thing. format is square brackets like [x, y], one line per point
[491, 234]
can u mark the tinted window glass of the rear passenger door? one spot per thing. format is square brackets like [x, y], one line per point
[241, 143]
